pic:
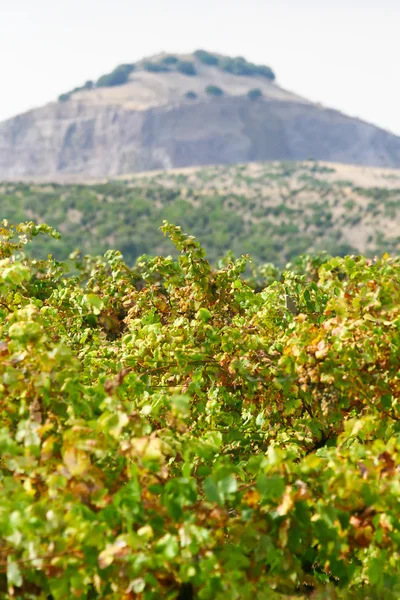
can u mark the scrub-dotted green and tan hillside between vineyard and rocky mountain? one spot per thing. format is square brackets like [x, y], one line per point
[273, 211]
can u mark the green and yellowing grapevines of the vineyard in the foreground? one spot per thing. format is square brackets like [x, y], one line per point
[177, 430]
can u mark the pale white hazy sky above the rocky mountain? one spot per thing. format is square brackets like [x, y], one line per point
[342, 53]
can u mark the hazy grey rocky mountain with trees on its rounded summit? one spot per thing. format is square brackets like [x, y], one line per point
[176, 111]
